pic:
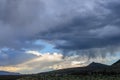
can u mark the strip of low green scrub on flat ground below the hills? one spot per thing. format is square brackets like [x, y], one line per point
[73, 77]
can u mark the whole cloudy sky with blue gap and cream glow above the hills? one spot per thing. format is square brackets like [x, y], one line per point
[44, 35]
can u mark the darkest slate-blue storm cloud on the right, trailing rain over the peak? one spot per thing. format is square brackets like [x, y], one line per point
[97, 29]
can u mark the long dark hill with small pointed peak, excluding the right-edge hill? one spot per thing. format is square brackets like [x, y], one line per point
[91, 68]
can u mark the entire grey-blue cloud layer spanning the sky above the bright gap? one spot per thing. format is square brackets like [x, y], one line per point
[72, 25]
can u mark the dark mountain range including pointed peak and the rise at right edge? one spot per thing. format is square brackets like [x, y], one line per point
[92, 68]
